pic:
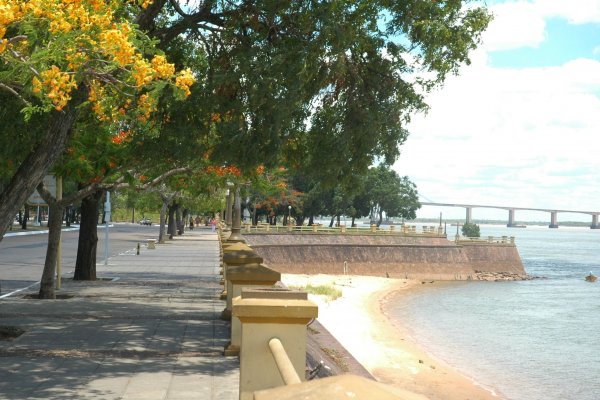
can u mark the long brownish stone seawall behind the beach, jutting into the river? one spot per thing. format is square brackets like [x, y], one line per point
[393, 256]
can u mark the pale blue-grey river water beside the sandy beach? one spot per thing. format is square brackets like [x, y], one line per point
[529, 340]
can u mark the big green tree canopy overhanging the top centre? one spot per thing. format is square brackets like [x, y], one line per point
[287, 82]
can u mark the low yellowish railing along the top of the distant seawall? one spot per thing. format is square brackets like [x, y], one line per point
[402, 230]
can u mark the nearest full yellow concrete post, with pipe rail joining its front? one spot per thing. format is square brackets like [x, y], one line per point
[266, 314]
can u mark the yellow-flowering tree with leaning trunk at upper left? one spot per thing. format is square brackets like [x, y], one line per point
[60, 59]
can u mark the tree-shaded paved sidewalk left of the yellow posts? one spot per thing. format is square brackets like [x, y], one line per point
[153, 333]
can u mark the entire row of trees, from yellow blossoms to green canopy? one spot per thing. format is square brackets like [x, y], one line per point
[182, 98]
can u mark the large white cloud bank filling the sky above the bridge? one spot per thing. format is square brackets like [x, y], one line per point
[518, 137]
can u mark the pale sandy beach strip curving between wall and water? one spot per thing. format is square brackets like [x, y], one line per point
[386, 349]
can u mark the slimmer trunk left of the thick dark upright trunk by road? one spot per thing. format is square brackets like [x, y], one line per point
[54, 232]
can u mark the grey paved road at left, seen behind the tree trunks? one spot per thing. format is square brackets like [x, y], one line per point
[22, 256]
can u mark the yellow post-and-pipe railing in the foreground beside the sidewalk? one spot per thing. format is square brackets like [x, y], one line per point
[268, 331]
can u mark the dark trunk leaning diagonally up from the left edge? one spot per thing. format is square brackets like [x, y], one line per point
[38, 162]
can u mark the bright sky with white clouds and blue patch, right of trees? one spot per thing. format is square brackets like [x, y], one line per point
[520, 126]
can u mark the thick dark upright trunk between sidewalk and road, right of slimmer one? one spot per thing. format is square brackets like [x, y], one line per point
[85, 266]
